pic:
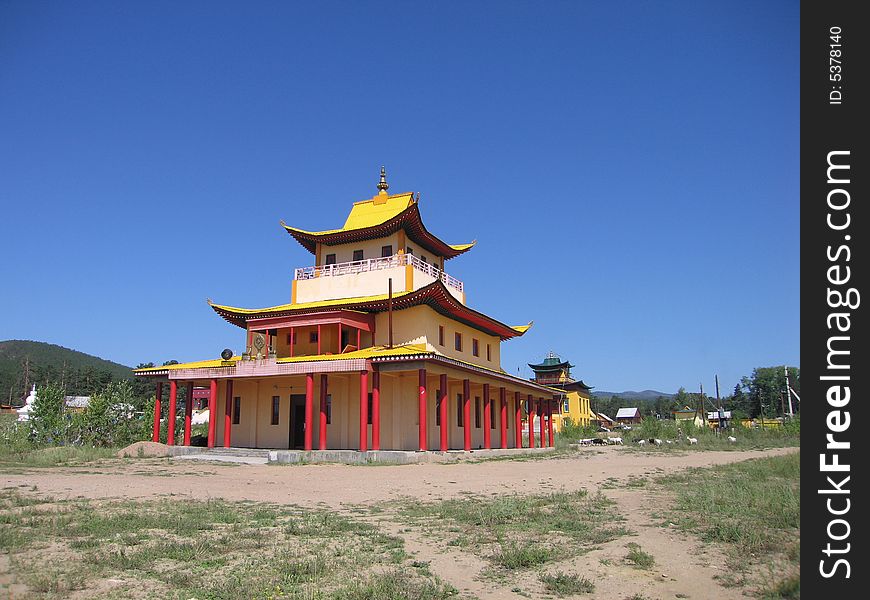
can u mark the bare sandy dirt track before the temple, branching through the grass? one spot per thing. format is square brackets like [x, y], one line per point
[685, 567]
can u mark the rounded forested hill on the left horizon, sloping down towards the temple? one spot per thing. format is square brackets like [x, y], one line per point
[24, 362]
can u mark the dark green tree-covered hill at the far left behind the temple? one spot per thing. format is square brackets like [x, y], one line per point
[44, 357]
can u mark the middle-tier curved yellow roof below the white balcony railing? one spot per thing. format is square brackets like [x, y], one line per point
[434, 295]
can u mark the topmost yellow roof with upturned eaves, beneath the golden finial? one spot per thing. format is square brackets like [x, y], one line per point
[379, 217]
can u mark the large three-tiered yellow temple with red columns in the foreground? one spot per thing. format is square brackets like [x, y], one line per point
[377, 349]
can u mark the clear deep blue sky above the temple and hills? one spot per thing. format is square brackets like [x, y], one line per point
[629, 169]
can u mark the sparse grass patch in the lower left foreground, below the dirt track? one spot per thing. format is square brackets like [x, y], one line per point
[214, 550]
